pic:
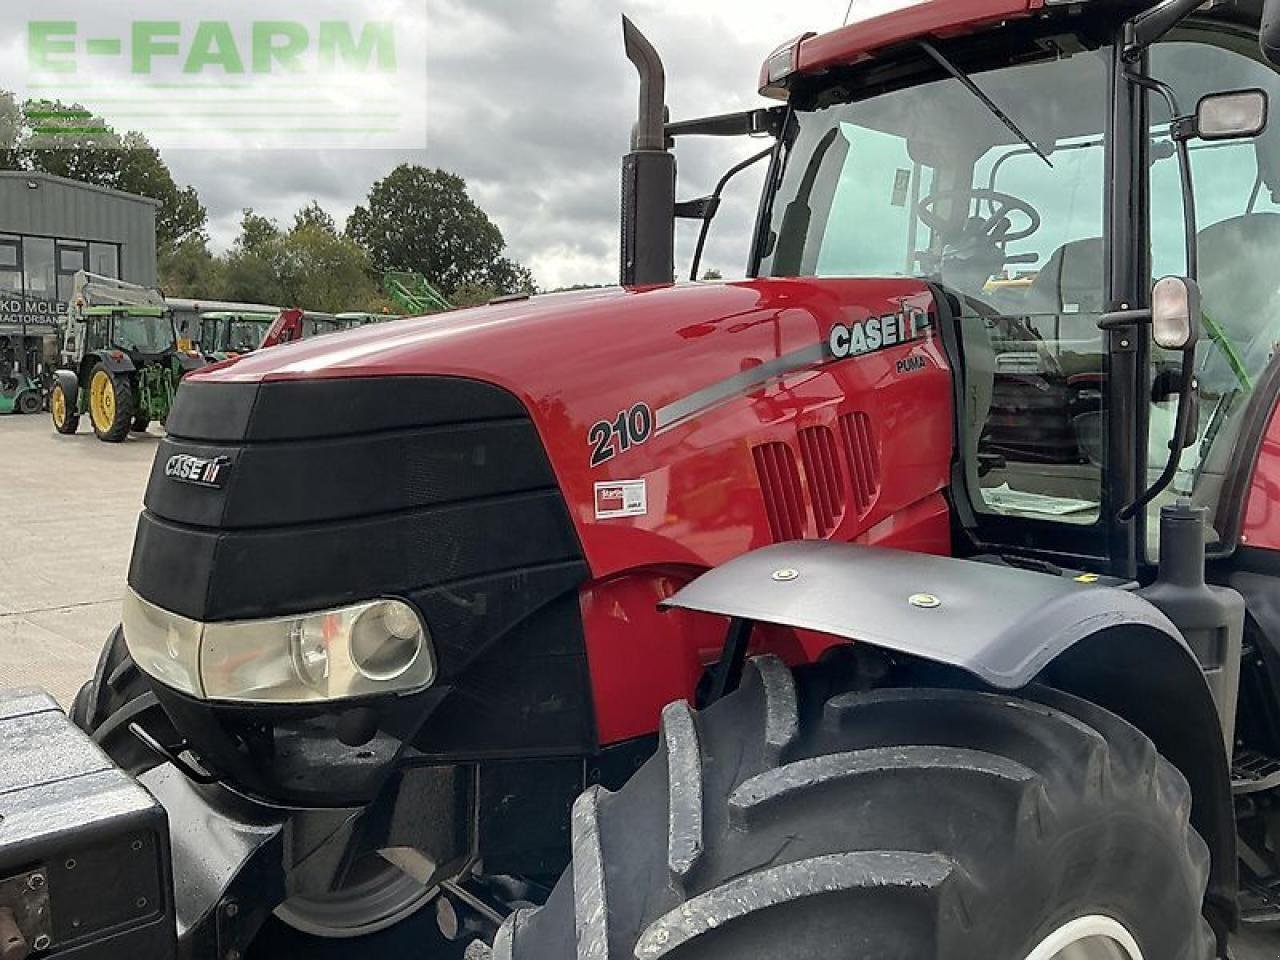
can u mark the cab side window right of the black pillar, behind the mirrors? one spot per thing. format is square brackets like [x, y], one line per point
[1238, 230]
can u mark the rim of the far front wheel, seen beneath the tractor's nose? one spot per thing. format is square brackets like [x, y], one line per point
[376, 897]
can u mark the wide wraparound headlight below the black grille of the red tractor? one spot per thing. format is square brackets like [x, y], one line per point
[368, 648]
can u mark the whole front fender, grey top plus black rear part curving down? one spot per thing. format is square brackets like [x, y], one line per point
[1008, 628]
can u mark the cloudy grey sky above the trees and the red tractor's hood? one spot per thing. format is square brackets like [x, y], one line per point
[531, 100]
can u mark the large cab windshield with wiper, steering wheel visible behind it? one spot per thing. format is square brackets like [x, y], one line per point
[927, 182]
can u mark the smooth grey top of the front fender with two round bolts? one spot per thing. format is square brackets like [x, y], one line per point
[1003, 625]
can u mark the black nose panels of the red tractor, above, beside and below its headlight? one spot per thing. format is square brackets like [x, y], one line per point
[432, 490]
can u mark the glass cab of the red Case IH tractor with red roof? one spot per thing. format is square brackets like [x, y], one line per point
[1040, 177]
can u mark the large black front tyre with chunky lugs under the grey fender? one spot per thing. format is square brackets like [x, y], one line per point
[789, 821]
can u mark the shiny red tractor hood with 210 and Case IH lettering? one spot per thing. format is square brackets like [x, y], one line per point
[629, 388]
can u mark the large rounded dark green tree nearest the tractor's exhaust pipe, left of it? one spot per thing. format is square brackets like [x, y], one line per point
[424, 222]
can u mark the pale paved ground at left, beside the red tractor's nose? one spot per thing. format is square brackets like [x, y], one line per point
[68, 506]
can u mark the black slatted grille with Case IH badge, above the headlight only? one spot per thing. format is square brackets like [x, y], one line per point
[345, 491]
